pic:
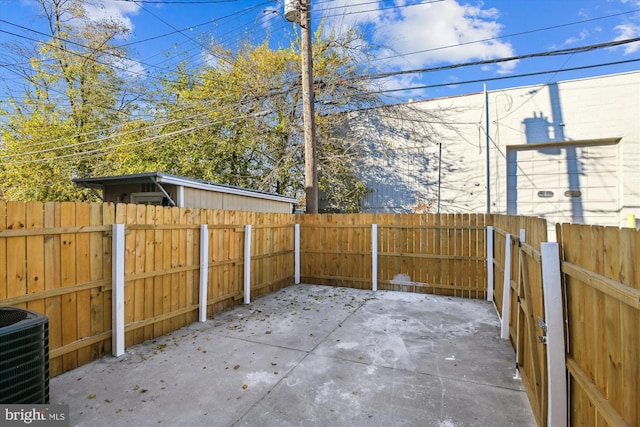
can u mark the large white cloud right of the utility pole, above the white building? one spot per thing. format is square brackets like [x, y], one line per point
[429, 33]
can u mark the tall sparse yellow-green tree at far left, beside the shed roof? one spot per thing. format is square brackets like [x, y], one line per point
[73, 98]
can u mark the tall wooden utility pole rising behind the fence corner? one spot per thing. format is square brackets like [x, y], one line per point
[308, 113]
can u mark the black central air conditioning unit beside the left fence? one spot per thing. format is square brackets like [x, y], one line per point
[24, 356]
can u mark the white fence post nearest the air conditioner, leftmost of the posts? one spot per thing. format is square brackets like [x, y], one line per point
[117, 290]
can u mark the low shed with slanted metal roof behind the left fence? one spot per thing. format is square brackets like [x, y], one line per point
[159, 188]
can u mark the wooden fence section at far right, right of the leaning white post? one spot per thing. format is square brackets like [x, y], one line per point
[601, 268]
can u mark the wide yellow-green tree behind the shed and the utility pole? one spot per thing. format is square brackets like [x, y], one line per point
[238, 119]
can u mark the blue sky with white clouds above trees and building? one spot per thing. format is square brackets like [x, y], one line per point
[407, 35]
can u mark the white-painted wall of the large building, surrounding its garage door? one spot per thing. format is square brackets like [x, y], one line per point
[401, 159]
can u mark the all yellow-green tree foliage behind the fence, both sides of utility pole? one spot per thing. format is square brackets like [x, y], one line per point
[235, 120]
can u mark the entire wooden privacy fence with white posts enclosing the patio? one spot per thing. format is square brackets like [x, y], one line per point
[59, 259]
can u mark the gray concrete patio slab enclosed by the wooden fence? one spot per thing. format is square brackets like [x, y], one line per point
[312, 356]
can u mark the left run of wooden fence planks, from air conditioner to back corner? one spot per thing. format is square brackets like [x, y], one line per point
[59, 263]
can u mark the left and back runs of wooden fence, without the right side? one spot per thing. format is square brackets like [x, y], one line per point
[60, 262]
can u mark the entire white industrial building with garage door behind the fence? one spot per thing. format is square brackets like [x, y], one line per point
[567, 151]
